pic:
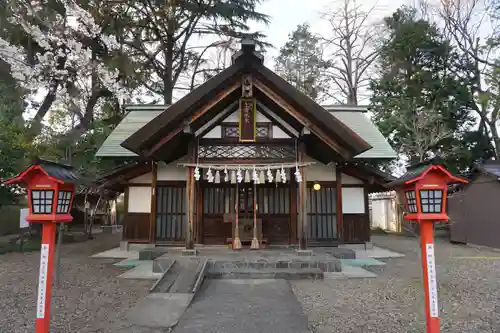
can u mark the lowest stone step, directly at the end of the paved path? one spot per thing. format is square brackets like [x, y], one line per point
[266, 273]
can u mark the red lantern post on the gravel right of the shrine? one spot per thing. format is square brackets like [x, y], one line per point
[424, 189]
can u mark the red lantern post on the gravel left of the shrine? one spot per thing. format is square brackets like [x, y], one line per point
[50, 195]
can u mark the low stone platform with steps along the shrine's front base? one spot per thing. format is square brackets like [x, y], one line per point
[329, 262]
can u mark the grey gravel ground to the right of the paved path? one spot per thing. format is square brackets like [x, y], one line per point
[468, 290]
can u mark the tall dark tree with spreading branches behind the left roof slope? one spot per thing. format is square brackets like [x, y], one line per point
[166, 36]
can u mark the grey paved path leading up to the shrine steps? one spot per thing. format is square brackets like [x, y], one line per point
[245, 306]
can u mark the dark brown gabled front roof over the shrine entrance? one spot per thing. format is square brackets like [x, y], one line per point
[180, 112]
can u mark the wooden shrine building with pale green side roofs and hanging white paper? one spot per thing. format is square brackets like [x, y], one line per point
[246, 148]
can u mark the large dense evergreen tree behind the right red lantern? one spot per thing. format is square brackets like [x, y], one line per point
[418, 101]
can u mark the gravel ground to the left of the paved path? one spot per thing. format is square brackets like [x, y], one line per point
[89, 299]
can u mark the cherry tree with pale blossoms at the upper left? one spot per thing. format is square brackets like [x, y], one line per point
[60, 53]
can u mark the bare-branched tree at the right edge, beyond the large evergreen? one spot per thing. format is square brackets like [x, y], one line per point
[467, 23]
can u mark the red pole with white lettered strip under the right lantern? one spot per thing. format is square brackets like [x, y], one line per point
[429, 273]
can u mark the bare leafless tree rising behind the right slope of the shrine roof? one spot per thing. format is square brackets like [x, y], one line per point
[352, 48]
